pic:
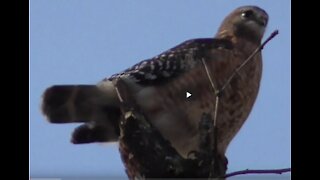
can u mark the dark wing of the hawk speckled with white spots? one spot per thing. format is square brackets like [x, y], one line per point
[172, 62]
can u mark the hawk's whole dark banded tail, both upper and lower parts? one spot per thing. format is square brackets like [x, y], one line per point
[83, 103]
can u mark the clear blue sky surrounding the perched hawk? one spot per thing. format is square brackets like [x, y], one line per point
[81, 42]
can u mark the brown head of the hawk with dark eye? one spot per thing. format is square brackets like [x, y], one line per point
[247, 22]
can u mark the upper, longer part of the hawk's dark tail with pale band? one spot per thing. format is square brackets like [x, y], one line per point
[72, 103]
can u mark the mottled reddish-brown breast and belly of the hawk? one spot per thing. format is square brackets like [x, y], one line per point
[177, 117]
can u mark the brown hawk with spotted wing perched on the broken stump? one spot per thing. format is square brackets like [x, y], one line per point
[159, 86]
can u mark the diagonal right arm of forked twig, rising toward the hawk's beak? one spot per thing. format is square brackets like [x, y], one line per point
[273, 34]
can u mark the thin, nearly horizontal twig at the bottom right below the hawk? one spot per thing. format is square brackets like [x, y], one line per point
[265, 171]
